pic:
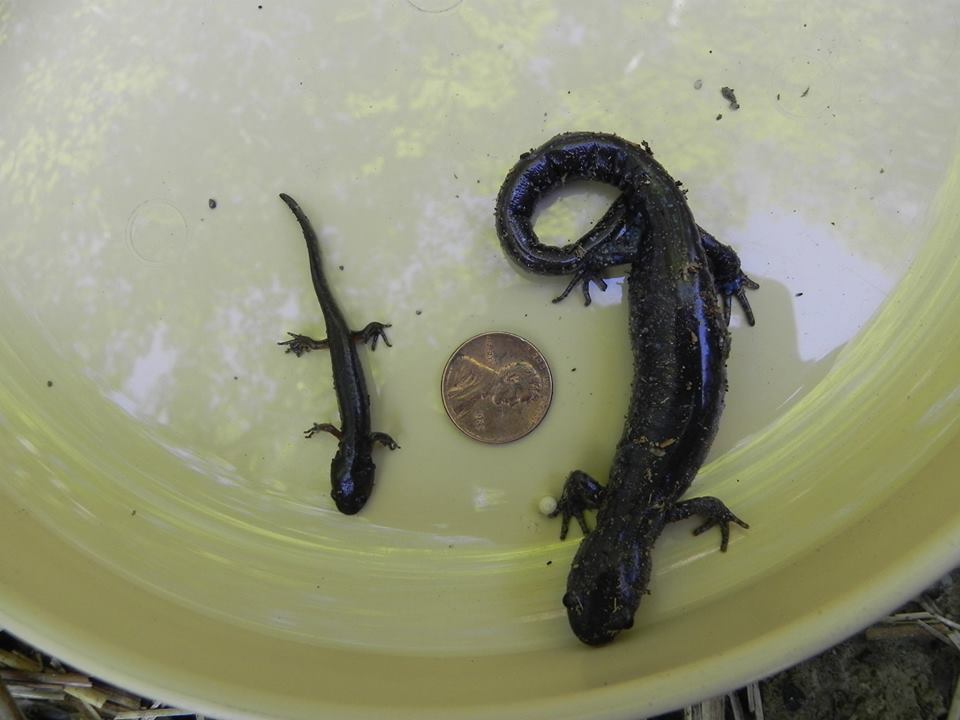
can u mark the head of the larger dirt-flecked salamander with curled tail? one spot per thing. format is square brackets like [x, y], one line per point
[604, 591]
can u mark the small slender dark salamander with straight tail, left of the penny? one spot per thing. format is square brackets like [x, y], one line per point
[352, 468]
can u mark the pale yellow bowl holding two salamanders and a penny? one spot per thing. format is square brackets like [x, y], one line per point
[162, 521]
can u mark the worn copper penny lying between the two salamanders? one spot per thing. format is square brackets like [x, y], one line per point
[496, 387]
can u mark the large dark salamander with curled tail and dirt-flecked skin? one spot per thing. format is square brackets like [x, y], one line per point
[679, 288]
